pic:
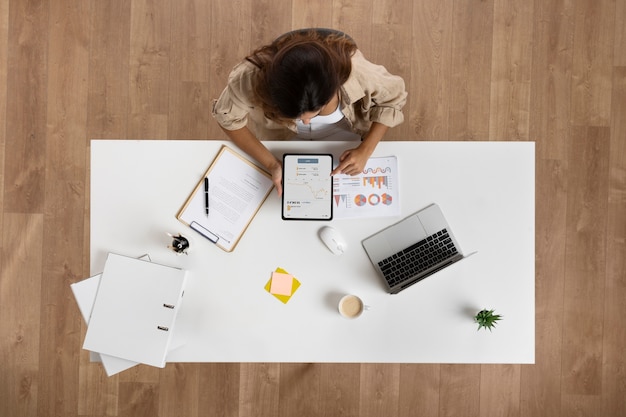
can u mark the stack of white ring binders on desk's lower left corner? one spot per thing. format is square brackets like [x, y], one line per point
[131, 311]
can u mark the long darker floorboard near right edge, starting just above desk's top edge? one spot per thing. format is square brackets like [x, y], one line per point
[585, 270]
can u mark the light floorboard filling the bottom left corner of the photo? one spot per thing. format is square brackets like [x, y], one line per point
[21, 269]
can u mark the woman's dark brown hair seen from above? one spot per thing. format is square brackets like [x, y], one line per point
[301, 71]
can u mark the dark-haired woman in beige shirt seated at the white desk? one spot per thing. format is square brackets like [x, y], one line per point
[312, 84]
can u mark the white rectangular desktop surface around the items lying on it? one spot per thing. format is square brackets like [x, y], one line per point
[486, 190]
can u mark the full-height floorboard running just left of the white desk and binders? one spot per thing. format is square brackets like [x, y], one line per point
[68, 59]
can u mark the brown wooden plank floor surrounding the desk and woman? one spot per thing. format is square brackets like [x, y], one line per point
[549, 71]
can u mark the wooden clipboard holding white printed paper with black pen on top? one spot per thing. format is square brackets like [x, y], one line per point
[237, 189]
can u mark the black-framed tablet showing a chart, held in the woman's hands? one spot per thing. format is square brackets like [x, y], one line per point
[307, 187]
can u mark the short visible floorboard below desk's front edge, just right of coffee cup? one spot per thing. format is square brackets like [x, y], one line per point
[380, 389]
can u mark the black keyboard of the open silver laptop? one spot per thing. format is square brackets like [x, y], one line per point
[418, 258]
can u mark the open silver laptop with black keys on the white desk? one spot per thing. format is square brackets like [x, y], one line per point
[413, 249]
